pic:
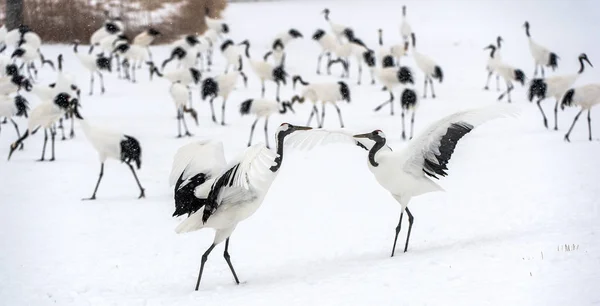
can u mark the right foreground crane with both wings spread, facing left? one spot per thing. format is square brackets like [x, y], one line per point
[407, 173]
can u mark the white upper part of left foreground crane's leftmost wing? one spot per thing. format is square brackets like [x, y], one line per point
[197, 157]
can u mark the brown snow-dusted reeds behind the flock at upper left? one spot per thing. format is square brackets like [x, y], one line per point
[61, 21]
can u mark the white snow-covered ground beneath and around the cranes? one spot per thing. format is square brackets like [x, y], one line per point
[516, 192]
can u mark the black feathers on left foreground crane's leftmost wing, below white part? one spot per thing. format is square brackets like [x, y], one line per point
[186, 201]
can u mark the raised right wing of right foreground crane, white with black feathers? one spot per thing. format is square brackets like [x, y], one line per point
[430, 152]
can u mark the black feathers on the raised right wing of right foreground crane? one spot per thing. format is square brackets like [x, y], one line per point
[437, 166]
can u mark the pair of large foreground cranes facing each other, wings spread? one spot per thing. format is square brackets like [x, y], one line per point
[219, 195]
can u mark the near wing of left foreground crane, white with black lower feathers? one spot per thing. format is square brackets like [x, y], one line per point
[242, 180]
